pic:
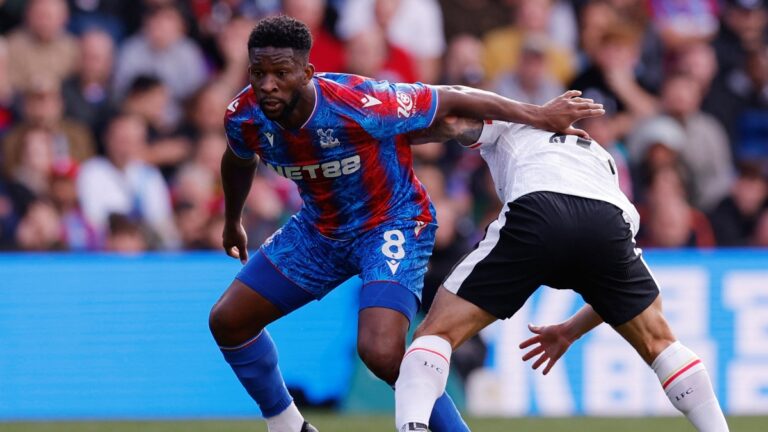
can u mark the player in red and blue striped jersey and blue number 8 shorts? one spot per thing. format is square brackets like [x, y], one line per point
[340, 138]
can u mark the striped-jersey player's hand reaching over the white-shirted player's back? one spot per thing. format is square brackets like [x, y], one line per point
[559, 114]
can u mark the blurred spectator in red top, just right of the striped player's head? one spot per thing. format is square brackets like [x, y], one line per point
[327, 51]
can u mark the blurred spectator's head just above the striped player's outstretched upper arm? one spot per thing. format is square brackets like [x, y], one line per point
[463, 62]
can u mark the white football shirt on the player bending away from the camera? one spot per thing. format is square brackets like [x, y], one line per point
[523, 159]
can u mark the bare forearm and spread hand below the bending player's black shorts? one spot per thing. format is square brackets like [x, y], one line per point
[552, 341]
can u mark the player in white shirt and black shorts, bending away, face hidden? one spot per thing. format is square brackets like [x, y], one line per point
[566, 224]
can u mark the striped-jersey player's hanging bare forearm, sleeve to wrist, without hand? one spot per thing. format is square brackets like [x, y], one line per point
[236, 179]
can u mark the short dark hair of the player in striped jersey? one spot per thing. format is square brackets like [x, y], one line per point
[281, 32]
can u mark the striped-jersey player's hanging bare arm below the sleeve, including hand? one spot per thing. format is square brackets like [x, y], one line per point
[236, 179]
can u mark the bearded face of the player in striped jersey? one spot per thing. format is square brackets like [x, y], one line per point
[277, 76]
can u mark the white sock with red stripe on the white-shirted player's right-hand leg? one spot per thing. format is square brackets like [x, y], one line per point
[686, 382]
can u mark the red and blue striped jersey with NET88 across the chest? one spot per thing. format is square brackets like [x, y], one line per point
[350, 160]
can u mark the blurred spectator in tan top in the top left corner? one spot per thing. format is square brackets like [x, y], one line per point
[42, 47]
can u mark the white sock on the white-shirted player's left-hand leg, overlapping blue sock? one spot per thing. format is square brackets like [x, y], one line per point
[423, 376]
